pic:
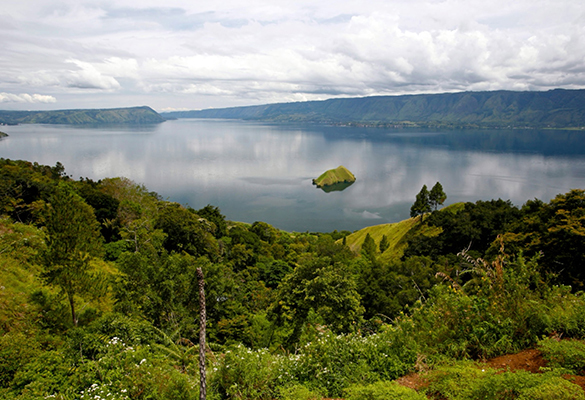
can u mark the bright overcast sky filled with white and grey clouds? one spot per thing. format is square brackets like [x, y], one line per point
[188, 55]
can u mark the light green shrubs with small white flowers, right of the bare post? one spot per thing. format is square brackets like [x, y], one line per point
[327, 365]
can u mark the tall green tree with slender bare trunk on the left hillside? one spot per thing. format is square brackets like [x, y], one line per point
[73, 238]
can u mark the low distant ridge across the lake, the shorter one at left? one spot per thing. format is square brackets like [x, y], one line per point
[130, 115]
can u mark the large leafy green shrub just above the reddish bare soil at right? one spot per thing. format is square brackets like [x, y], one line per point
[504, 308]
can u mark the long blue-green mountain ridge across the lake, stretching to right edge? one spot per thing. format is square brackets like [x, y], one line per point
[558, 108]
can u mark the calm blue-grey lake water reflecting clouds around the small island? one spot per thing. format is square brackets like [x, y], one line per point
[263, 172]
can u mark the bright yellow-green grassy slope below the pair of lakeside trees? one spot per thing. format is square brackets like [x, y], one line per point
[396, 234]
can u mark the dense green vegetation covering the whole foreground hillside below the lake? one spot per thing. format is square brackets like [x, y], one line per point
[98, 298]
